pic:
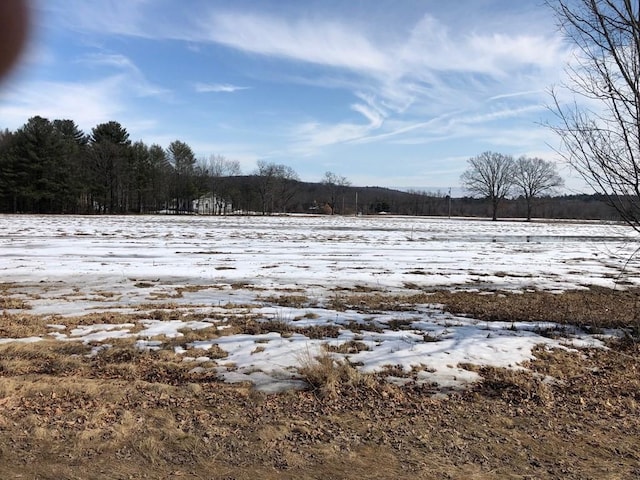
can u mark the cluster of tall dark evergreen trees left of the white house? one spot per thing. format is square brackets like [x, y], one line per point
[54, 167]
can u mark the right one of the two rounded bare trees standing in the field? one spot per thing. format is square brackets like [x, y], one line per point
[533, 177]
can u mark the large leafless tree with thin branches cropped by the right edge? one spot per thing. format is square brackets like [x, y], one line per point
[600, 129]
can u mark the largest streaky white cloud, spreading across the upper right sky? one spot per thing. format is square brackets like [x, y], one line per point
[430, 72]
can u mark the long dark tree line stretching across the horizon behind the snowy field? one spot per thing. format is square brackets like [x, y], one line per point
[52, 167]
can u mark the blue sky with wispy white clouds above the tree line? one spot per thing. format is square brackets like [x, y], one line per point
[387, 93]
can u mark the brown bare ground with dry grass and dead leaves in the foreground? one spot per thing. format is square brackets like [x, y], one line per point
[131, 414]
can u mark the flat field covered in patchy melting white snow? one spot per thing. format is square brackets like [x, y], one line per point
[66, 266]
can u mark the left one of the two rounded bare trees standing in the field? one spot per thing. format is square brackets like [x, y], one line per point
[490, 175]
